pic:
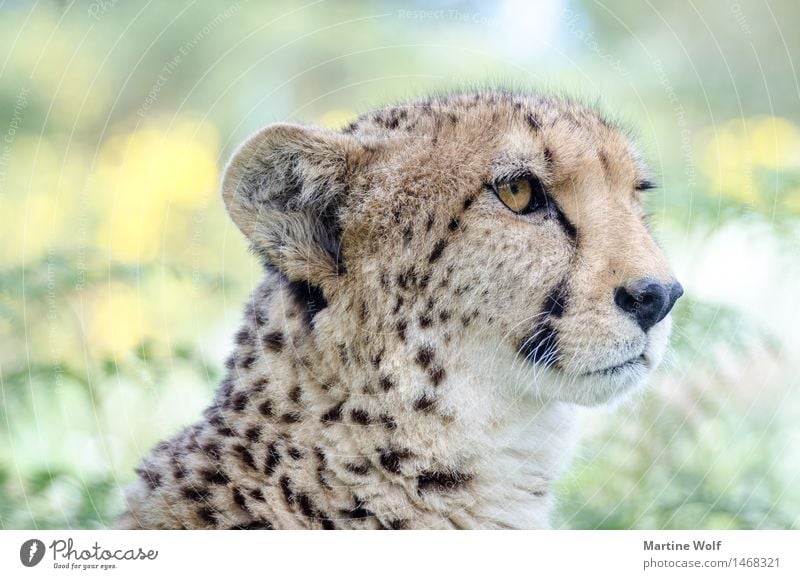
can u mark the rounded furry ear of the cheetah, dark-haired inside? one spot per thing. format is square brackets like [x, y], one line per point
[283, 188]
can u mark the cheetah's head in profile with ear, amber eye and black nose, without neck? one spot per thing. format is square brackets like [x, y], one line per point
[510, 227]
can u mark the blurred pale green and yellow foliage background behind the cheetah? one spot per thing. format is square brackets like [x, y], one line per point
[122, 280]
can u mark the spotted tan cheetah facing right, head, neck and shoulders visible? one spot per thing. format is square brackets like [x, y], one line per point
[446, 280]
